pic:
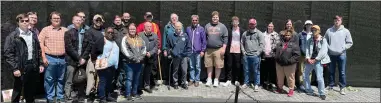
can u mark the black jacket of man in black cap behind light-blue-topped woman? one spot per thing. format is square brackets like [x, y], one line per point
[92, 36]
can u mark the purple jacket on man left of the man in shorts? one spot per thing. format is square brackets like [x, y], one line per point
[197, 38]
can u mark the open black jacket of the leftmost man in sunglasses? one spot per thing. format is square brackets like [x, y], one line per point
[16, 51]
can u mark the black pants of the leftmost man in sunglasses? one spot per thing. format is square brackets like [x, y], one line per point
[26, 83]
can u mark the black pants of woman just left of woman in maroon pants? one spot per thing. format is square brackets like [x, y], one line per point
[268, 71]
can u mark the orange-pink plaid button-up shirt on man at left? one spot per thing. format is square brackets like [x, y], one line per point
[53, 40]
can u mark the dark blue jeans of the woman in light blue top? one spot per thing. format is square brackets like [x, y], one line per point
[105, 82]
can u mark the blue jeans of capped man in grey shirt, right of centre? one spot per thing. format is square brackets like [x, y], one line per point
[252, 67]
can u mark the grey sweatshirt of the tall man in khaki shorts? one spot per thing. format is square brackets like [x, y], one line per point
[216, 35]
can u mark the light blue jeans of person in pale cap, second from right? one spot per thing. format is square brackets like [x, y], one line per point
[319, 76]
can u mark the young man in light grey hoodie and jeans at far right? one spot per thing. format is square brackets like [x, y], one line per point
[339, 41]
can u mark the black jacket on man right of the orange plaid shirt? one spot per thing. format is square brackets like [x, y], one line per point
[71, 47]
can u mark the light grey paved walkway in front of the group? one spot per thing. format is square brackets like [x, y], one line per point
[221, 94]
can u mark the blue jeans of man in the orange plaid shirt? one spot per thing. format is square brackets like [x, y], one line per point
[55, 76]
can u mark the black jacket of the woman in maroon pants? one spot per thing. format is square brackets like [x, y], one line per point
[288, 56]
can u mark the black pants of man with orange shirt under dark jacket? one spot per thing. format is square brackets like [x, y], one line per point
[149, 70]
